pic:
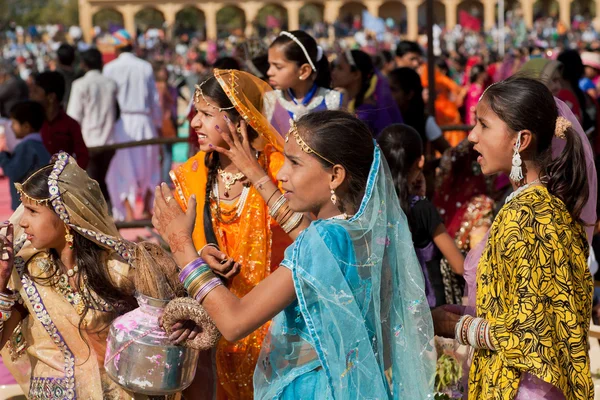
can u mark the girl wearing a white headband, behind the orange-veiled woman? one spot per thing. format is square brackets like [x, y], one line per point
[299, 71]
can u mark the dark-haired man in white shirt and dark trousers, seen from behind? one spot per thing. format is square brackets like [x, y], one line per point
[93, 103]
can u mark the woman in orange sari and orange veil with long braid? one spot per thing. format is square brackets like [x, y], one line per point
[234, 231]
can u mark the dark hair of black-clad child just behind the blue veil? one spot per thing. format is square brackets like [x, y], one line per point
[402, 147]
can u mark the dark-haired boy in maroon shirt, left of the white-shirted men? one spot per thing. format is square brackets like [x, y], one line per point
[59, 132]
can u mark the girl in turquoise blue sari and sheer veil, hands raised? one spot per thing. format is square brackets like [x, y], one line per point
[348, 301]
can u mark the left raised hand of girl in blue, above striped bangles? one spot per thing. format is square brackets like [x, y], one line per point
[174, 225]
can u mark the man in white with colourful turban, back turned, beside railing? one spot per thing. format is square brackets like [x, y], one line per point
[134, 171]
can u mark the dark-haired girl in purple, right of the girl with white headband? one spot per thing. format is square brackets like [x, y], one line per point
[369, 93]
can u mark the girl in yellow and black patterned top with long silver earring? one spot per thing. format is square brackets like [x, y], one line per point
[530, 288]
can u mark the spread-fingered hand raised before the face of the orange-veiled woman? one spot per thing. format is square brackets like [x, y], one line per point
[240, 152]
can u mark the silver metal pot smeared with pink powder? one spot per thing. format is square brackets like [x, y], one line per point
[139, 356]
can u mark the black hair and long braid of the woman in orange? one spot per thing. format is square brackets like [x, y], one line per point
[213, 90]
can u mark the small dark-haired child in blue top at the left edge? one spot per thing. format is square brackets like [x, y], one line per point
[30, 154]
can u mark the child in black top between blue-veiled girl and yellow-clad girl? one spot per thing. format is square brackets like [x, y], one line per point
[403, 149]
